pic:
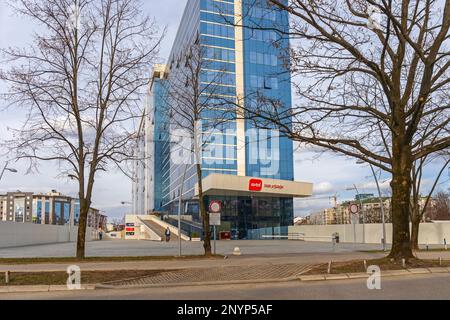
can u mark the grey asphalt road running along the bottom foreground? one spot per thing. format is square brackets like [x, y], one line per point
[421, 287]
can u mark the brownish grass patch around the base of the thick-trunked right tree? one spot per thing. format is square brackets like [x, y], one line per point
[355, 266]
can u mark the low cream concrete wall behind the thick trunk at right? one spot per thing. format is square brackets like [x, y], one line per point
[429, 233]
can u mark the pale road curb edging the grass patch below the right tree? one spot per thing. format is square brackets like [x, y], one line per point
[360, 275]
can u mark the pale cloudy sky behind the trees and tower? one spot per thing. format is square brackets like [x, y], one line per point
[329, 173]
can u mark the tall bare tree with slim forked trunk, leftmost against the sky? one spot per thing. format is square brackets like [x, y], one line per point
[81, 83]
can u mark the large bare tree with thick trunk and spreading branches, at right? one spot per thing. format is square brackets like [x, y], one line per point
[372, 80]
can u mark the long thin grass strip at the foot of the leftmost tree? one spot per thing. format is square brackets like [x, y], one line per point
[11, 261]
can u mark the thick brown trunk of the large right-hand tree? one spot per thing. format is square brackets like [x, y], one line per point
[401, 191]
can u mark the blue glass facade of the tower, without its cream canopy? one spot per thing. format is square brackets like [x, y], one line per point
[261, 54]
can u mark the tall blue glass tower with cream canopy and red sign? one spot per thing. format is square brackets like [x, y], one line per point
[253, 174]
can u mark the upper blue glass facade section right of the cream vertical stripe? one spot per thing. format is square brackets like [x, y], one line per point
[266, 71]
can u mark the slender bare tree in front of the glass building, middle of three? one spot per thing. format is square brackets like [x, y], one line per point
[197, 99]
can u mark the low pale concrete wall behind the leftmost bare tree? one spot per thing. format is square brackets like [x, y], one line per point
[23, 234]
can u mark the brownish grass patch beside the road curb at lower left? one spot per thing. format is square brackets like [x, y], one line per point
[60, 278]
